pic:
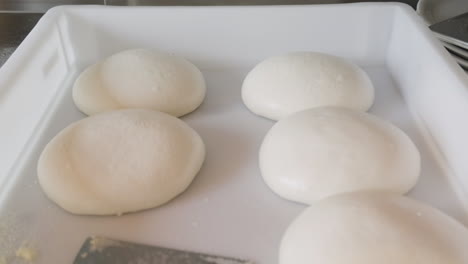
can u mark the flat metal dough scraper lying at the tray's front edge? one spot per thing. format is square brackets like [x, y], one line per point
[100, 250]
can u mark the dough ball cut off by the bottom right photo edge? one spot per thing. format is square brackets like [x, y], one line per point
[370, 228]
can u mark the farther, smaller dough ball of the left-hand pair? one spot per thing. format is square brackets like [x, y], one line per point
[140, 79]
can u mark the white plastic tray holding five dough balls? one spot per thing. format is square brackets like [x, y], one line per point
[227, 210]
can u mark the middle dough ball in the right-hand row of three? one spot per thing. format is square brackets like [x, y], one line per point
[324, 151]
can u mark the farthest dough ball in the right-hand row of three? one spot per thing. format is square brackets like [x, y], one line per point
[282, 85]
